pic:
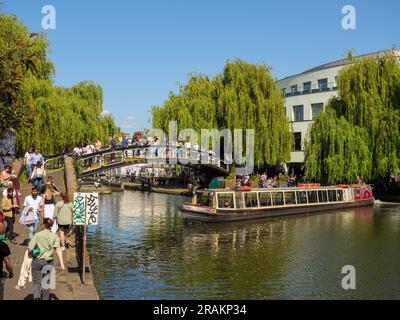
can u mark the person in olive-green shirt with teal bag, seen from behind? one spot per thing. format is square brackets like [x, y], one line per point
[42, 248]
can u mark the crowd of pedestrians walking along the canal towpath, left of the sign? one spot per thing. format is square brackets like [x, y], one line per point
[44, 205]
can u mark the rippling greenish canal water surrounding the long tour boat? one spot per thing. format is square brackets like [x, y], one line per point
[142, 249]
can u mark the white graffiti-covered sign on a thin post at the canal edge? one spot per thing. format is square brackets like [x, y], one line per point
[86, 212]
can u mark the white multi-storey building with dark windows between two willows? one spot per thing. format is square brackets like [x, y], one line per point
[306, 95]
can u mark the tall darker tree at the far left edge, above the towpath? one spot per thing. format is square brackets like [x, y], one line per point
[22, 55]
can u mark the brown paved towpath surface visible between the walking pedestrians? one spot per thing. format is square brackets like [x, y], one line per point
[68, 282]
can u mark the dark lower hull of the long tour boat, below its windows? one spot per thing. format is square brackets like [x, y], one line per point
[262, 213]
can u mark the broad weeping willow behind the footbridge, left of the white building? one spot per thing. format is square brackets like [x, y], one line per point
[243, 96]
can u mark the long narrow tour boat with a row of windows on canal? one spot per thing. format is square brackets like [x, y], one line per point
[244, 204]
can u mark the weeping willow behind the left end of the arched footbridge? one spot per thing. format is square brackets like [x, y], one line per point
[61, 118]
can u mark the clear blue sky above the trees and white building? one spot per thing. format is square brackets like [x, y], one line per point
[140, 50]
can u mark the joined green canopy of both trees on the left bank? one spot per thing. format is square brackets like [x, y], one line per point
[51, 118]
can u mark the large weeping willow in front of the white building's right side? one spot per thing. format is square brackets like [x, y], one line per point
[358, 135]
